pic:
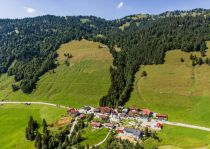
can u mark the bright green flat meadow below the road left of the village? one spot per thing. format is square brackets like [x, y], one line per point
[14, 119]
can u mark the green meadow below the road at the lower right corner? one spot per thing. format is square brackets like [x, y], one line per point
[172, 137]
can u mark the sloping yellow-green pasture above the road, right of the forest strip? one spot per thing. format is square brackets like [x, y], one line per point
[175, 88]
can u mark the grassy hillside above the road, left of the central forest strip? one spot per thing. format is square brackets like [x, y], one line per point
[83, 82]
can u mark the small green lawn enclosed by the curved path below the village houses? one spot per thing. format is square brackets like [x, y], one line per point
[93, 136]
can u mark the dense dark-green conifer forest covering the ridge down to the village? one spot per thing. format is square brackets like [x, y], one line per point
[28, 46]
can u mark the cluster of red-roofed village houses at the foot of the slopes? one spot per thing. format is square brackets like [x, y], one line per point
[130, 122]
